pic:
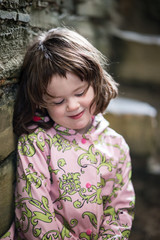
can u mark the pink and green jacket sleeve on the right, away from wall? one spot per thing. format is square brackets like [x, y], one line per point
[118, 207]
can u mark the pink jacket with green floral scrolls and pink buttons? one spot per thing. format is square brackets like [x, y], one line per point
[73, 186]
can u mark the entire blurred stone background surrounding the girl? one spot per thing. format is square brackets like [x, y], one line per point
[127, 32]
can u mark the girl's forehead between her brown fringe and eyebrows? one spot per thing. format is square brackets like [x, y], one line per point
[62, 86]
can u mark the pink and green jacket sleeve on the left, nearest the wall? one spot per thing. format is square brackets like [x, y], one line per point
[34, 211]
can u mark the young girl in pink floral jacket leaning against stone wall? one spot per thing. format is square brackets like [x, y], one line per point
[74, 172]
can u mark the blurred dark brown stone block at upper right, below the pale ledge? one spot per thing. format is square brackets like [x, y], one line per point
[137, 62]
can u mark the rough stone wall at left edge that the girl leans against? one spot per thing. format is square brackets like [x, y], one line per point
[14, 19]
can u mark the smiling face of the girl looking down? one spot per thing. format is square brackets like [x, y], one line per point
[70, 104]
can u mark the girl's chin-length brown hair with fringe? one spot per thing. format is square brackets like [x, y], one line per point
[58, 51]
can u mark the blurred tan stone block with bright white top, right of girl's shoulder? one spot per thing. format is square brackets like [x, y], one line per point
[136, 122]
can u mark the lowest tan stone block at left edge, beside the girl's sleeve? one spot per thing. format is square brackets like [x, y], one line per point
[7, 178]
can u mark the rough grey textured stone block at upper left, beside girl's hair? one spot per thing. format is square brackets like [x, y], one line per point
[13, 40]
